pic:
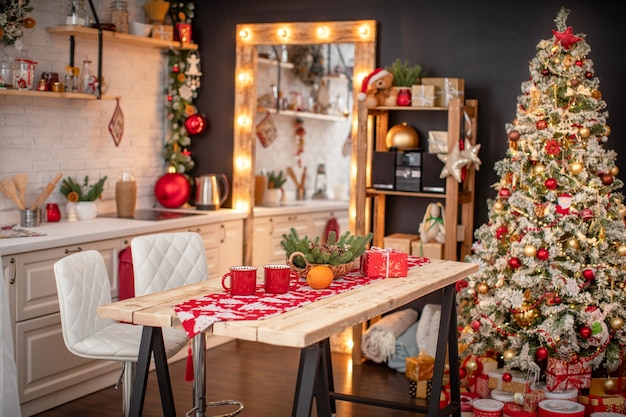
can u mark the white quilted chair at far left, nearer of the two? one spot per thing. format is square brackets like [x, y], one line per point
[83, 284]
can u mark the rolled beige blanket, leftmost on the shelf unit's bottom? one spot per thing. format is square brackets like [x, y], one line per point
[379, 341]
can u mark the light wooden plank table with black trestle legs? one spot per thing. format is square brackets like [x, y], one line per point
[309, 328]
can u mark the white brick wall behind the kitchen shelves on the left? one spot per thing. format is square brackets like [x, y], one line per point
[43, 136]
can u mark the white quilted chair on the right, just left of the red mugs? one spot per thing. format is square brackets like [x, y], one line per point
[163, 261]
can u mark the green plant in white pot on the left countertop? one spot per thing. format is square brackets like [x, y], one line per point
[82, 198]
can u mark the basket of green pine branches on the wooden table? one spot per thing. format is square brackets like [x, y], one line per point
[302, 253]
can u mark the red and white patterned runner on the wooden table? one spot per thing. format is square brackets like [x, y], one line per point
[198, 314]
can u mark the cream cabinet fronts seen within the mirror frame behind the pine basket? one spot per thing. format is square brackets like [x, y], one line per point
[269, 230]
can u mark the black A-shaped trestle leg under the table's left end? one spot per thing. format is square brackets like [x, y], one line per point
[152, 343]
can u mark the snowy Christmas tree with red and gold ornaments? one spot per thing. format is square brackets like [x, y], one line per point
[552, 256]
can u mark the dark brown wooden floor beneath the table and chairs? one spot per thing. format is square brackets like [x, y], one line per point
[263, 377]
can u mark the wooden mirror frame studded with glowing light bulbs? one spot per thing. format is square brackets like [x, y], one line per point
[361, 33]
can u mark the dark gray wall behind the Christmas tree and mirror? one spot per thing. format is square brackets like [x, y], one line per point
[488, 43]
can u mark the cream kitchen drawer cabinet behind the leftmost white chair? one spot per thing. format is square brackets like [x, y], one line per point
[48, 374]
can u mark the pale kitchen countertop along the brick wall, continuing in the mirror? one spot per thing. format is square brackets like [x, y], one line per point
[102, 227]
